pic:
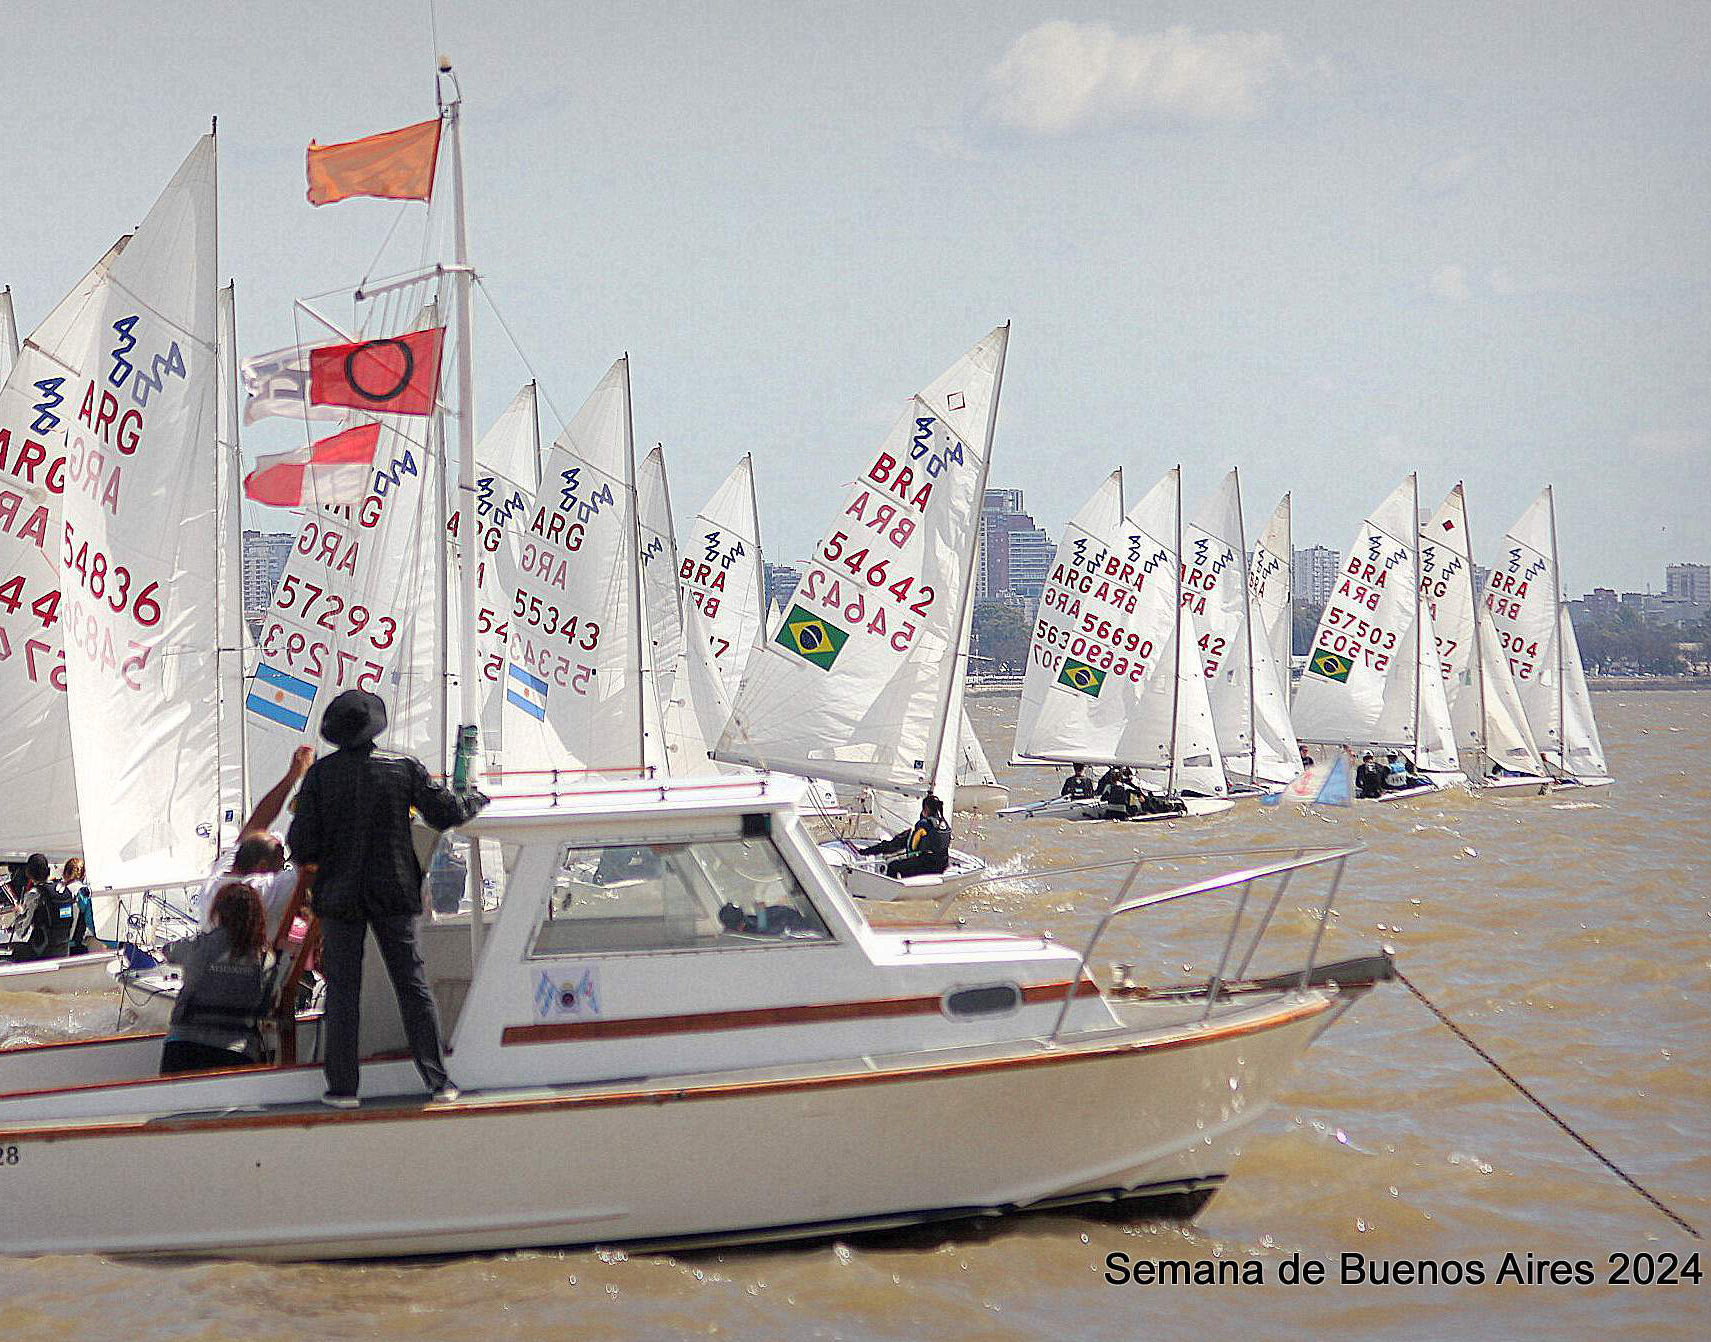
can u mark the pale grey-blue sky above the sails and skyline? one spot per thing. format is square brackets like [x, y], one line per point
[1329, 244]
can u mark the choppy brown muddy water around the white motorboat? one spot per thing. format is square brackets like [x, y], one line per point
[1570, 934]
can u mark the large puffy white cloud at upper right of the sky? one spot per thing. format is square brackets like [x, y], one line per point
[1063, 76]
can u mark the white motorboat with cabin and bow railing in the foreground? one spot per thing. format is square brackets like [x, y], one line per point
[680, 1028]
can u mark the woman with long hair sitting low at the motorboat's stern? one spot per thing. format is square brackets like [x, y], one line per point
[227, 987]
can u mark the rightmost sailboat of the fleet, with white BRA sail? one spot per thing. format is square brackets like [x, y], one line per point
[1536, 634]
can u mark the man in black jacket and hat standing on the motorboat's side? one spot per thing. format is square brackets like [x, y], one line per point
[353, 828]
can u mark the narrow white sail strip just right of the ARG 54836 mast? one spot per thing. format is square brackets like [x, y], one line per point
[228, 588]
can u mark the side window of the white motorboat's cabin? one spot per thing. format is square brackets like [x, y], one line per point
[704, 894]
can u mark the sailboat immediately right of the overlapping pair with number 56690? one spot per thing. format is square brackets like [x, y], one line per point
[1245, 684]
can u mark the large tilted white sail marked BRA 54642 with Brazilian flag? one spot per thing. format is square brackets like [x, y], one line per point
[858, 684]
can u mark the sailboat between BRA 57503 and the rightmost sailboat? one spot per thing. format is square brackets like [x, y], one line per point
[1484, 704]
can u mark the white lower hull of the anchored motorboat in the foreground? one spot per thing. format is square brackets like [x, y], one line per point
[730, 1158]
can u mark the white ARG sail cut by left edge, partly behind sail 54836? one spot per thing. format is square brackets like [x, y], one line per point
[35, 727]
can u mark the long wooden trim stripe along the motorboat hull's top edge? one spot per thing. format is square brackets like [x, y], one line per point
[682, 1095]
